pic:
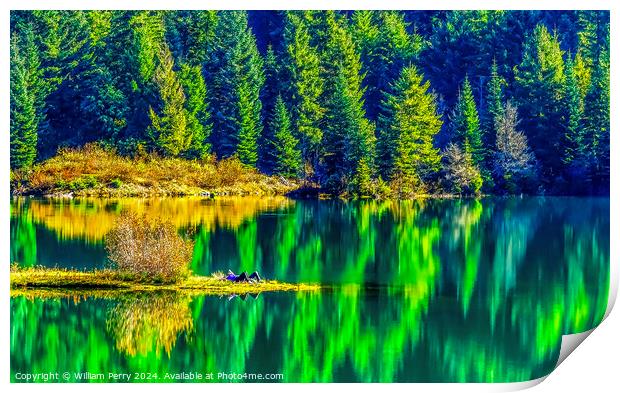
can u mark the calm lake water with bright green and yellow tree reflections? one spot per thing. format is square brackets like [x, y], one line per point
[418, 291]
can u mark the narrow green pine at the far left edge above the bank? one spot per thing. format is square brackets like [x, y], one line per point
[24, 117]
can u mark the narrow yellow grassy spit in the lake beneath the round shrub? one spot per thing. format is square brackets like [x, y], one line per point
[61, 280]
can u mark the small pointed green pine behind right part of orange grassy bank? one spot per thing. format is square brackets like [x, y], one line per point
[287, 153]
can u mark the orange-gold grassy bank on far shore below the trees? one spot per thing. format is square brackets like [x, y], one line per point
[97, 171]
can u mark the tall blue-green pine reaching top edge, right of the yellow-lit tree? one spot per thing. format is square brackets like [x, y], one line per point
[235, 70]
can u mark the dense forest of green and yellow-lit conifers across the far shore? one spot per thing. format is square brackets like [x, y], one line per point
[360, 102]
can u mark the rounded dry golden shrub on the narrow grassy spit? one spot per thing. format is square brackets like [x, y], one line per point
[149, 249]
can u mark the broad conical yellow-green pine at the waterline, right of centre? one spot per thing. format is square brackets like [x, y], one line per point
[410, 122]
